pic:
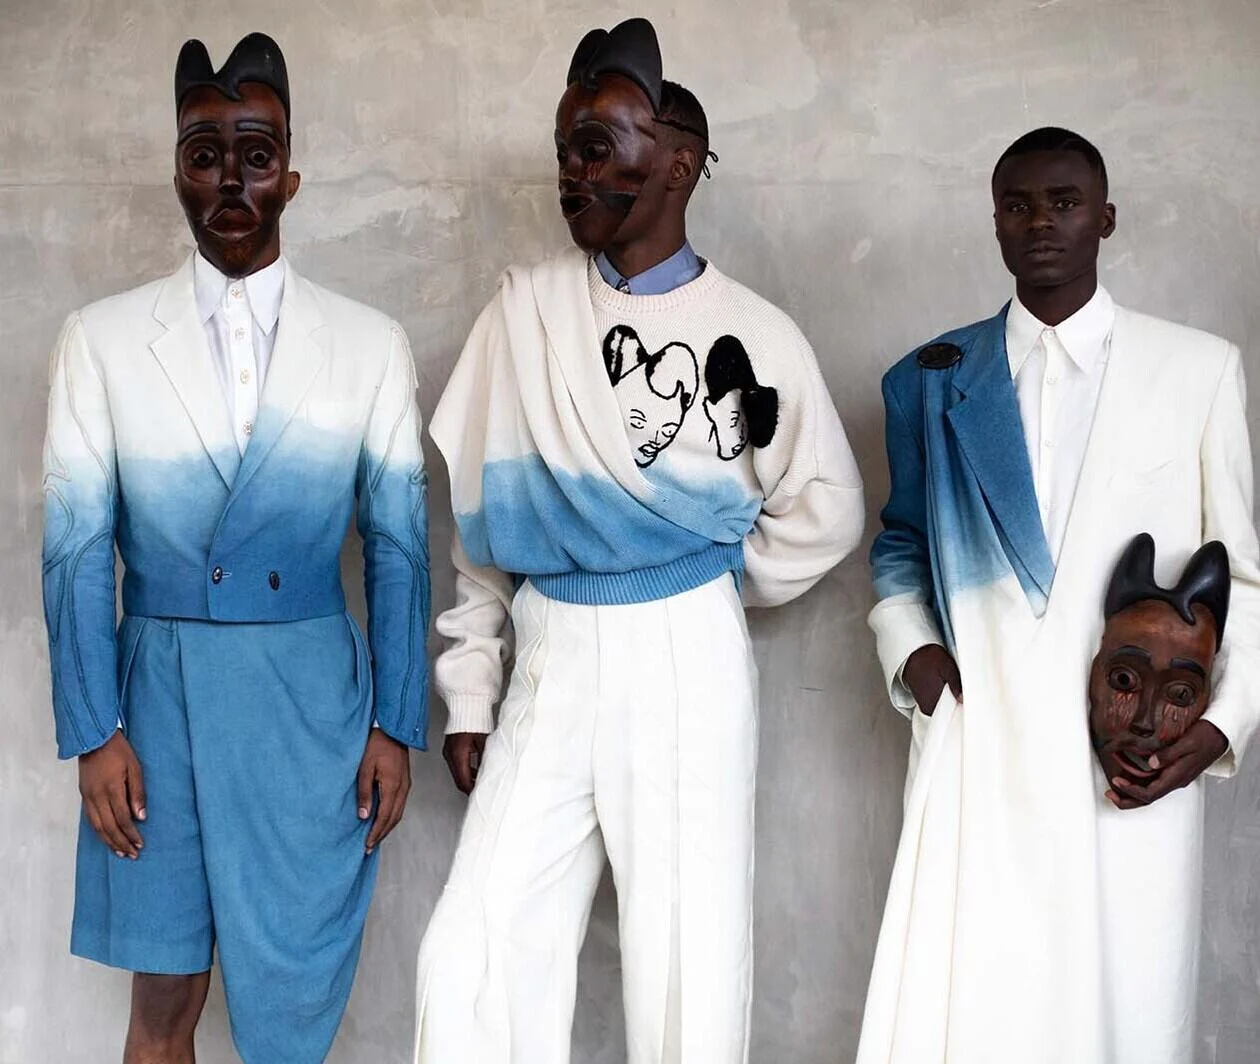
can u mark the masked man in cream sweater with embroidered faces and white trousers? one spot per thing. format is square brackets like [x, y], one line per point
[597, 505]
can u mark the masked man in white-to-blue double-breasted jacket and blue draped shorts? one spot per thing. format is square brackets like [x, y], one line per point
[221, 427]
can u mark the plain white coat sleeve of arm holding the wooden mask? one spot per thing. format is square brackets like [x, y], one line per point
[1225, 458]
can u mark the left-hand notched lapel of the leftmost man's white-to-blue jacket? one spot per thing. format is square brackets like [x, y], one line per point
[186, 359]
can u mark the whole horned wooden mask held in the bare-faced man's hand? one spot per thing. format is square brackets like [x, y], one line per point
[1152, 676]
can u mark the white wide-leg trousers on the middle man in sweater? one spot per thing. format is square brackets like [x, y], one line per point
[629, 733]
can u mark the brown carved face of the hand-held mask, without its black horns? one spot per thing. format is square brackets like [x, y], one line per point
[1150, 683]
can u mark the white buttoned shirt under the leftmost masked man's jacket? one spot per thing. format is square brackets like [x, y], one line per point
[240, 320]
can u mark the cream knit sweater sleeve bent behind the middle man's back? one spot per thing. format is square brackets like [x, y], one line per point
[813, 507]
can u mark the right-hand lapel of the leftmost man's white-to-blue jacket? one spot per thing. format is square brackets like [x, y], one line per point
[299, 356]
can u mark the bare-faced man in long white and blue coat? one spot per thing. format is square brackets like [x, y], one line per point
[1039, 911]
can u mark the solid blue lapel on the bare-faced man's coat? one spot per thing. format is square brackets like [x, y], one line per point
[990, 432]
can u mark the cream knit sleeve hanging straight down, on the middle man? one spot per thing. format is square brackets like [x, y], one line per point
[471, 670]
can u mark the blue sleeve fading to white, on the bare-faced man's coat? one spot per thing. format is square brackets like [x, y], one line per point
[904, 618]
